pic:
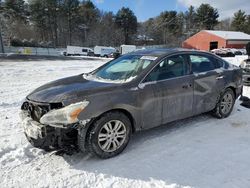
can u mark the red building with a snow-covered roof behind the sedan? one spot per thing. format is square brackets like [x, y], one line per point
[209, 40]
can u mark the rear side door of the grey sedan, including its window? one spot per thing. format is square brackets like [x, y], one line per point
[208, 81]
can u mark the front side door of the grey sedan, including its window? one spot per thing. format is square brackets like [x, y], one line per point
[173, 88]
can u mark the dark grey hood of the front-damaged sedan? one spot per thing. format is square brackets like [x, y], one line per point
[68, 88]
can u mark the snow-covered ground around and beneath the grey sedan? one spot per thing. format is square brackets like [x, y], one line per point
[196, 152]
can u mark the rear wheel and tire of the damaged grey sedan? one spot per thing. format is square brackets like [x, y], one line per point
[225, 104]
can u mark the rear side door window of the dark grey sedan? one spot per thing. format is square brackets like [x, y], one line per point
[202, 63]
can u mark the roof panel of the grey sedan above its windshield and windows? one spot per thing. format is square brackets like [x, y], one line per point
[161, 51]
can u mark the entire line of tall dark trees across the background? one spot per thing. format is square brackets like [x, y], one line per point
[58, 23]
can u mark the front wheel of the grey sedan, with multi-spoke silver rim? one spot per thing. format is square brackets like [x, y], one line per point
[109, 135]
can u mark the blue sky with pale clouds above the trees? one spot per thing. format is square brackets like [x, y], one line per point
[145, 9]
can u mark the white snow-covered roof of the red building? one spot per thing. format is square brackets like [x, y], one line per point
[230, 35]
